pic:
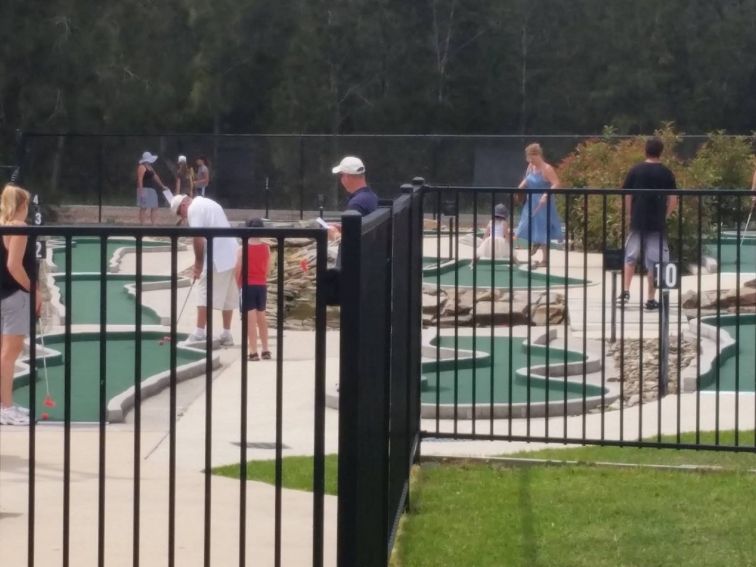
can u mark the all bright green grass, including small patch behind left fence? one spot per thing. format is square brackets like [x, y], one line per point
[481, 515]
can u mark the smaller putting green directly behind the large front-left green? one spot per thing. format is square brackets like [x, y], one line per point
[85, 293]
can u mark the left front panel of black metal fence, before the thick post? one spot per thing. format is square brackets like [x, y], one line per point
[76, 490]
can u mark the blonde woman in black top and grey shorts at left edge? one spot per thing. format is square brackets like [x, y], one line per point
[17, 268]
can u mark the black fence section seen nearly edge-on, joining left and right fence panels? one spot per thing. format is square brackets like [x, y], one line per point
[380, 362]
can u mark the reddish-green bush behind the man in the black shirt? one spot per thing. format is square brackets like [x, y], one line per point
[602, 163]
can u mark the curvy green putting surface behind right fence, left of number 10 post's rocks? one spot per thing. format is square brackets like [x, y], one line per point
[495, 373]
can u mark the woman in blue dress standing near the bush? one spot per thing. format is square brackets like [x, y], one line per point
[539, 220]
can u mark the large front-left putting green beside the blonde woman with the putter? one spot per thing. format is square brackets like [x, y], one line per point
[85, 370]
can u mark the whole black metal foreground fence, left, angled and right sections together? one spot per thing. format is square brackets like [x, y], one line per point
[441, 338]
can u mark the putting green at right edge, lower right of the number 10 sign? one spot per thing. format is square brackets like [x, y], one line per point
[734, 369]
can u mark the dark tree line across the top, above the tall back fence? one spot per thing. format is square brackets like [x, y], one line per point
[359, 66]
